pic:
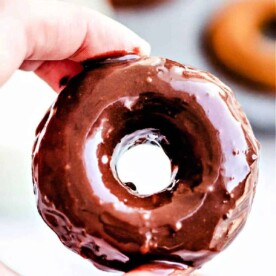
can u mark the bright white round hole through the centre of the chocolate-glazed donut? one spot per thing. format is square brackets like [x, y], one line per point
[140, 163]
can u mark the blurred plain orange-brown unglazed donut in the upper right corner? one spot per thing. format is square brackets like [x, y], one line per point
[241, 38]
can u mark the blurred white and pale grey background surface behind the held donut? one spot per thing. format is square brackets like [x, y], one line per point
[174, 29]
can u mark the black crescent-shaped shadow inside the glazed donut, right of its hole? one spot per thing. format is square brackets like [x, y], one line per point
[175, 143]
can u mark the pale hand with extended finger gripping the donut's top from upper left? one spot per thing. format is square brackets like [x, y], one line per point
[50, 30]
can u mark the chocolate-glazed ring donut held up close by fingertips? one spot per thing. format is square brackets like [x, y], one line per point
[118, 103]
